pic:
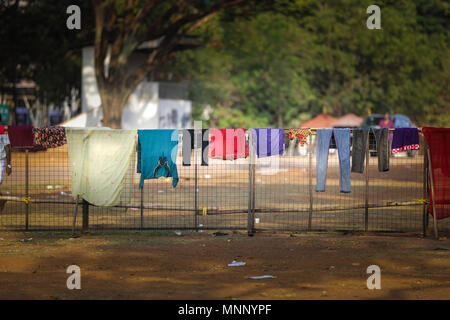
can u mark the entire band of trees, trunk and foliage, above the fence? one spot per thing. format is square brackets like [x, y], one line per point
[255, 62]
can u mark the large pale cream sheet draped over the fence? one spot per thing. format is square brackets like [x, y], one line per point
[100, 159]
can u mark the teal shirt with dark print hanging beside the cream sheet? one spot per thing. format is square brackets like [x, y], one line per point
[157, 154]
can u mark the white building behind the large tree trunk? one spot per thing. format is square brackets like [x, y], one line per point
[153, 105]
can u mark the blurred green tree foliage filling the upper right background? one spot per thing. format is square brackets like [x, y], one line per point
[285, 63]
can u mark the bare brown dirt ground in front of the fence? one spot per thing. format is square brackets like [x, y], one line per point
[163, 265]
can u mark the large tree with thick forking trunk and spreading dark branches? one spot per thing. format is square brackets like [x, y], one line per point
[122, 26]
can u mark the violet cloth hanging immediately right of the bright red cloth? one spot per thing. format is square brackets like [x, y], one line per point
[268, 142]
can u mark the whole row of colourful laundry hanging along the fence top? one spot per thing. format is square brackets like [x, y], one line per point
[266, 142]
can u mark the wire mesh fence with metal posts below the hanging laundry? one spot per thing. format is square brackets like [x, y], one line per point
[227, 194]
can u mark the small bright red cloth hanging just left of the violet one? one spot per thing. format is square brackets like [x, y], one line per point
[228, 144]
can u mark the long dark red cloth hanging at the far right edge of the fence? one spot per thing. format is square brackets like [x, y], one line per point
[438, 140]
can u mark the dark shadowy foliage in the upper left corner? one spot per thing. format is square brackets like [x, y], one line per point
[38, 46]
